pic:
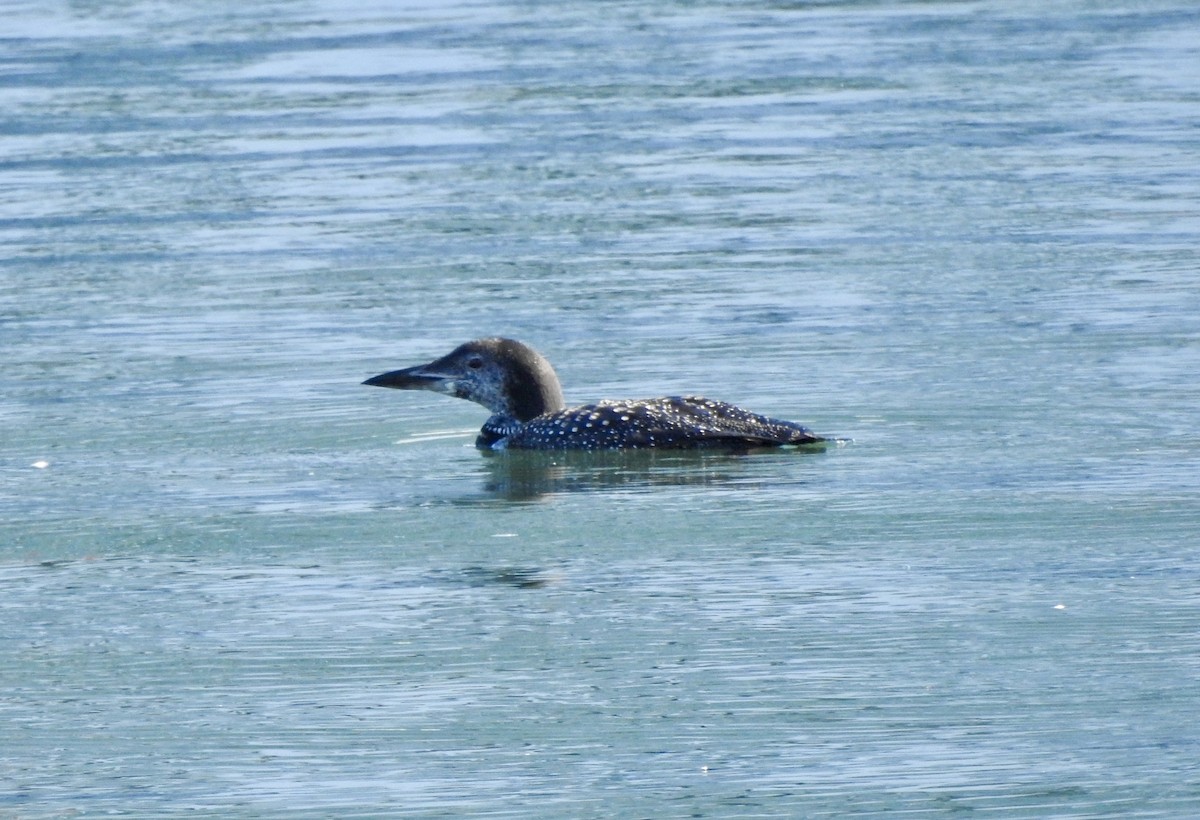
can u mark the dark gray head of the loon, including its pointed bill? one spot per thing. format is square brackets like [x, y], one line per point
[503, 375]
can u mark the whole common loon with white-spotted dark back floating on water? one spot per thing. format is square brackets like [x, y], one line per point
[523, 392]
